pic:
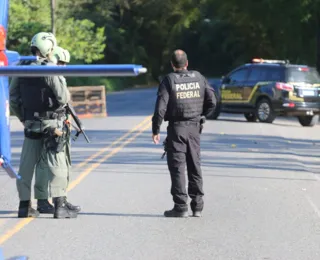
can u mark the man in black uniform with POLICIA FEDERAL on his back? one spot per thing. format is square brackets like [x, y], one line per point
[183, 98]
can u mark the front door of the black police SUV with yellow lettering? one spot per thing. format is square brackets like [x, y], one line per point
[232, 87]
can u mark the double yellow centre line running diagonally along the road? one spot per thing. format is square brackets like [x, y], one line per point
[121, 142]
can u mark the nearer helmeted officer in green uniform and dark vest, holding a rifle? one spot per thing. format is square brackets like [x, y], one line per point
[38, 103]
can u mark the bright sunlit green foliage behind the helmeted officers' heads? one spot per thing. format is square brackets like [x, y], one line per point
[85, 41]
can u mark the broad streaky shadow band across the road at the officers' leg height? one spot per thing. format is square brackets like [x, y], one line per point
[250, 151]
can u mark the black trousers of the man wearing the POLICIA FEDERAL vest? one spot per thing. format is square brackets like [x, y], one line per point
[183, 144]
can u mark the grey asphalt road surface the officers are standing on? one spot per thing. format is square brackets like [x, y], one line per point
[262, 193]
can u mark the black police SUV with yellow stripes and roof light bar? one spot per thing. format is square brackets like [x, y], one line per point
[264, 89]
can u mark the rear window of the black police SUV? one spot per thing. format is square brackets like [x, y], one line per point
[304, 74]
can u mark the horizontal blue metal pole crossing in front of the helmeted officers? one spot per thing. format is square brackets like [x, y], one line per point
[113, 70]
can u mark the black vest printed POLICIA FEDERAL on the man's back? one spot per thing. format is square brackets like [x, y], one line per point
[186, 96]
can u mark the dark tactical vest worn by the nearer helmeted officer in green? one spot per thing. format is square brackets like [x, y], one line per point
[37, 98]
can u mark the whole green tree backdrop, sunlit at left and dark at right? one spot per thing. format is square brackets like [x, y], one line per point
[217, 34]
